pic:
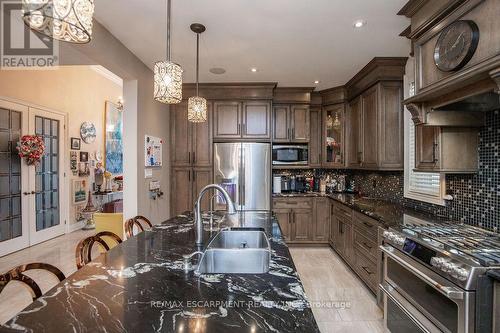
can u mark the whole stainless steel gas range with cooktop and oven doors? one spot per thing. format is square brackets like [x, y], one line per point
[434, 278]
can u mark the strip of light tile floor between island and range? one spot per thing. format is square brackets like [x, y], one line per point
[327, 279]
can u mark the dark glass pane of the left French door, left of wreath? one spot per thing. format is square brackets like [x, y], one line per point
[10, 176]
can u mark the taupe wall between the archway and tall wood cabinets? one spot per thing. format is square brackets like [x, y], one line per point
[142, 115]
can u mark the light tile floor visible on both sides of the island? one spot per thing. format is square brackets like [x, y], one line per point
[324, 275]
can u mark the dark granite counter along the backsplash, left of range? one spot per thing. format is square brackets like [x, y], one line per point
[387, 213]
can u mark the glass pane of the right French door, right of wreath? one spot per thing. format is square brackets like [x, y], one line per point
[47, 175]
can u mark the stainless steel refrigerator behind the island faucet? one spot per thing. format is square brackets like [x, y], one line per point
[244, 170]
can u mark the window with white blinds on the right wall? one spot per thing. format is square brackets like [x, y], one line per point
[422, 186]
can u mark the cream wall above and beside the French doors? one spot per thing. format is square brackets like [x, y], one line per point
[78, 91]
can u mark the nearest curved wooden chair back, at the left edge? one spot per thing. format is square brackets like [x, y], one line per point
[17, 274]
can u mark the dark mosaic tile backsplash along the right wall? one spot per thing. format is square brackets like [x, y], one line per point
[476, 197]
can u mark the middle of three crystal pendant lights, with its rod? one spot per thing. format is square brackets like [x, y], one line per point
[167, 74]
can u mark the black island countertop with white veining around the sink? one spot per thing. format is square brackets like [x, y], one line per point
[140, 286]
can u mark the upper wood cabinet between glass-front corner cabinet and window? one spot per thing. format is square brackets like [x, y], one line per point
[375, 128]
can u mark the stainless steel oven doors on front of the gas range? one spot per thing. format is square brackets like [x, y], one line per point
[416, 299]
